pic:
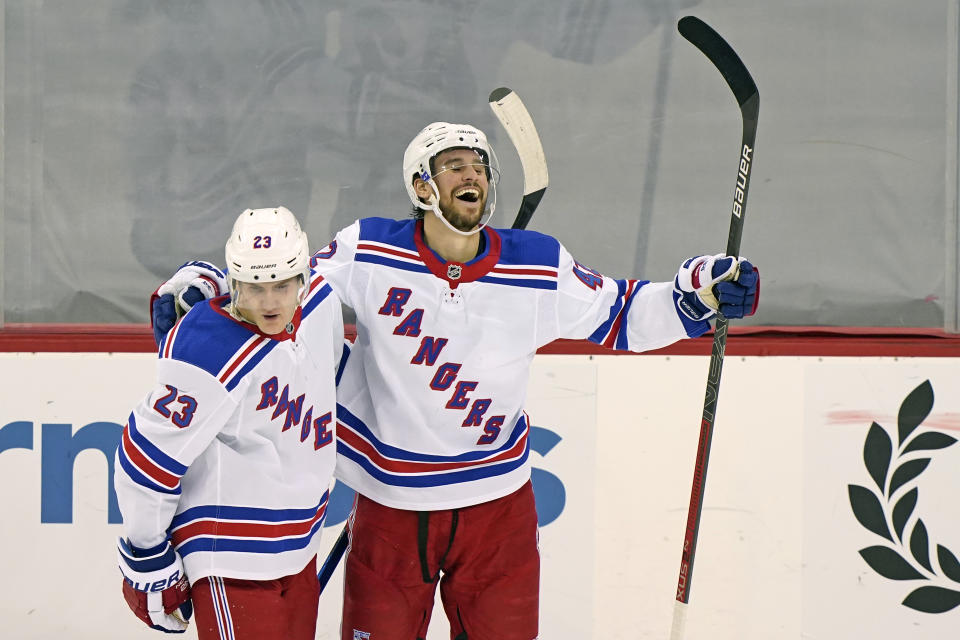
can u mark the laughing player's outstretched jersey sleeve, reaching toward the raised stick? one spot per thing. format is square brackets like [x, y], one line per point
[626, 314]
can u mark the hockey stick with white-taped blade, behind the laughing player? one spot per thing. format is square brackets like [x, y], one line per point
[515, 118]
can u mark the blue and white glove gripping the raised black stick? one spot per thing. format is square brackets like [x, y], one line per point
[706, 284]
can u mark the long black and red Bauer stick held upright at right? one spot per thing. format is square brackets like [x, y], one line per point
[745, 91]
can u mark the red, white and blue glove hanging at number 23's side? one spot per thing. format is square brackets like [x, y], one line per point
[155, 587]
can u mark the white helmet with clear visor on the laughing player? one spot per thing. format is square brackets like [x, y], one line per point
[437, 137]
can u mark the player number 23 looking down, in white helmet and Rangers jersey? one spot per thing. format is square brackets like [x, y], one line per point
[224, 469]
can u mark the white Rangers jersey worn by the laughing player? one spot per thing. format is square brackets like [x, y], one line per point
[431, 402]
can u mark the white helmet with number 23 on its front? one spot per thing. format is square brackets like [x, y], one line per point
[267, 245]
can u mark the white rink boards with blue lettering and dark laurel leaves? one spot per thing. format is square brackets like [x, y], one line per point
[797, 537]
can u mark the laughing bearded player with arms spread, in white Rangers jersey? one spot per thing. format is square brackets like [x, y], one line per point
[431, 427]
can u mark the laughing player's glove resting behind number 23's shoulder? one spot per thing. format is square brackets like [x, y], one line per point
[193, 282]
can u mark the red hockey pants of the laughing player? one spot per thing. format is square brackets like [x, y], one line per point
[484, 557]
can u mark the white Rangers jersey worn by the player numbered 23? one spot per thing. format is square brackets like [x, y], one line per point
[232, 454]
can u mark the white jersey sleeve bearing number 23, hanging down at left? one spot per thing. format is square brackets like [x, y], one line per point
[163, 436]
